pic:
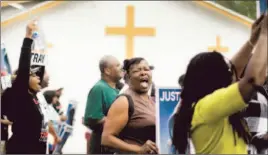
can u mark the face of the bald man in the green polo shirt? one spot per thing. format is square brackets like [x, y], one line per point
[114, 70]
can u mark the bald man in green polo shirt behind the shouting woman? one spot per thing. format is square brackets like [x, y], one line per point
[100, 98]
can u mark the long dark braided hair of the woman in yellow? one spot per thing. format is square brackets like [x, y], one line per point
[212, 73]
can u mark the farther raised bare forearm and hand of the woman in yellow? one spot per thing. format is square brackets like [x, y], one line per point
[242, 57]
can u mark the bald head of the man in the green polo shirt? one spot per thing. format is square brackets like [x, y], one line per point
[110, 67]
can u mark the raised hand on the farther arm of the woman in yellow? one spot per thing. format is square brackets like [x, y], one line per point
[256, 30]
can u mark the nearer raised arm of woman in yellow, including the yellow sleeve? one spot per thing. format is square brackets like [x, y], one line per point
[227, 101]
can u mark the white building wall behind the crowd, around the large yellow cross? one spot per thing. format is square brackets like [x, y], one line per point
[77, 31]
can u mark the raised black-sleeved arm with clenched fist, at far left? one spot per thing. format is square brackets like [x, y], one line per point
[21, 82]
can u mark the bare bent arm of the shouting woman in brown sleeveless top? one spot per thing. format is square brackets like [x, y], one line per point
[116, 121]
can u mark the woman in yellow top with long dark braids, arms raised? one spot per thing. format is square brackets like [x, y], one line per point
[210, 111]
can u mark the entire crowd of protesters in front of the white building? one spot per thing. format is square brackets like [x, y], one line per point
[222, 104]
